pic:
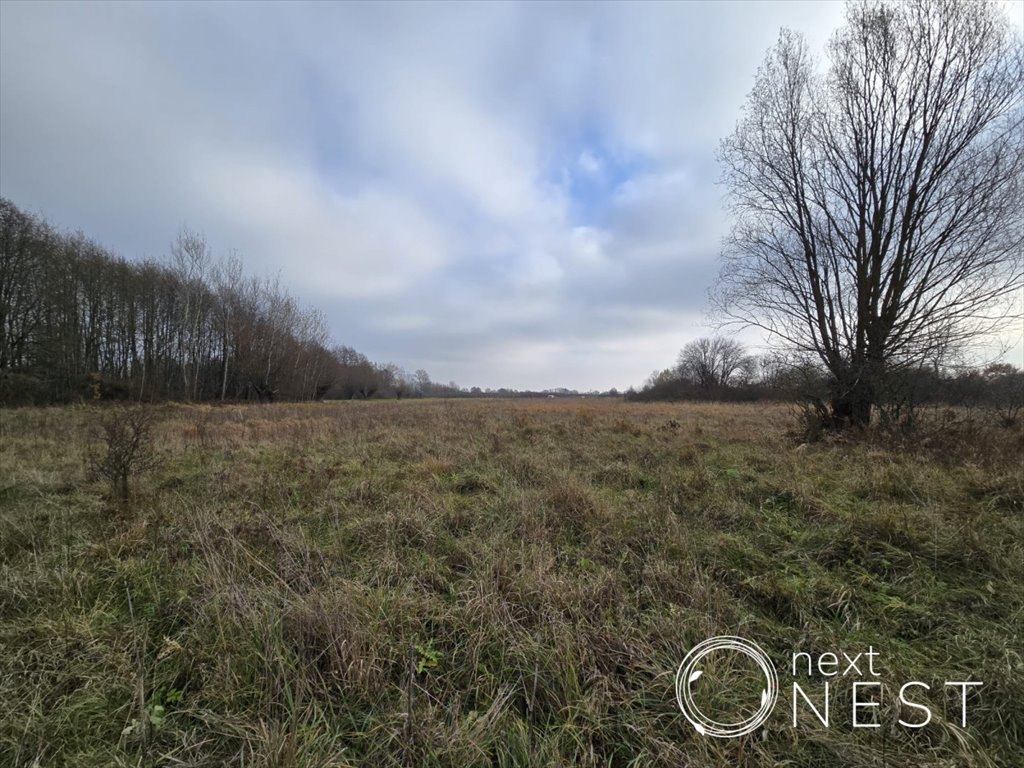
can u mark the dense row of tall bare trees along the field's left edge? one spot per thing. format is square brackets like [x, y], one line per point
[77, 322]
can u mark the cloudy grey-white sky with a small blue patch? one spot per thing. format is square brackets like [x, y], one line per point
[507, 195]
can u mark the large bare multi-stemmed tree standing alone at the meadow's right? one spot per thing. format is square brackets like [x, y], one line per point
[879, 204]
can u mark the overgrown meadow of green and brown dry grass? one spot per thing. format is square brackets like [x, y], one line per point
[497, 584]
